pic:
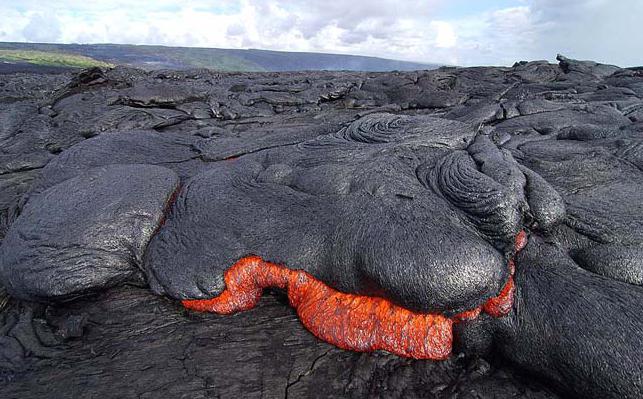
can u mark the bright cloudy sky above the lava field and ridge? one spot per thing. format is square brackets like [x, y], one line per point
[456, 32]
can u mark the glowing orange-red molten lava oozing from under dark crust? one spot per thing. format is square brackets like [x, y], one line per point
[354, 322]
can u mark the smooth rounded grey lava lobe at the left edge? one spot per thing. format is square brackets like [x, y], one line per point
[86, 233]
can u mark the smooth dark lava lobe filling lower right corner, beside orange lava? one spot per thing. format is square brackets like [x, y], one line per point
[548, 335]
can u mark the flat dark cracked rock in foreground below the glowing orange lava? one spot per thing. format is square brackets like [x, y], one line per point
[138, 345]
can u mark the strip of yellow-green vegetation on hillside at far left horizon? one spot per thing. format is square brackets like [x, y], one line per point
[51, 58]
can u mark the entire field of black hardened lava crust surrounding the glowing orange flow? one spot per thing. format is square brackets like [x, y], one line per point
[123, 192]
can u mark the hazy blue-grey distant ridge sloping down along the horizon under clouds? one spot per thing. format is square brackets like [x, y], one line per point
[162, 57]
